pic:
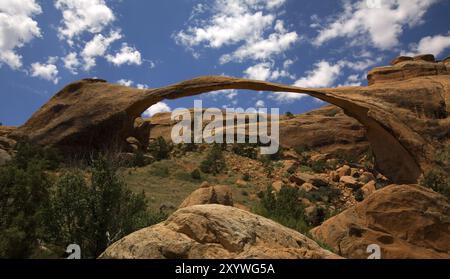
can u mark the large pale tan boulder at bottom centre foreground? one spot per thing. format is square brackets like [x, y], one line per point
[216, 232]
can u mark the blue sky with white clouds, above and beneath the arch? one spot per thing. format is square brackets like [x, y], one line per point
[45, 44]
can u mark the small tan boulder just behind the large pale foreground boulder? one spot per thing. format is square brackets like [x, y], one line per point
[218, 194]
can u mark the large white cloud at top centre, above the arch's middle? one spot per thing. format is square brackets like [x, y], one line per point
[251, 25]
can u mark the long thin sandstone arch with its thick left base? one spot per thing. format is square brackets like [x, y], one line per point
[89, 112]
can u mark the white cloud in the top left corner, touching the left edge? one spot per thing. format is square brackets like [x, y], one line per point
[17, 27]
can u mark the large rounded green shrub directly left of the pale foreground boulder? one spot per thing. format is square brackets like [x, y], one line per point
[95, 214]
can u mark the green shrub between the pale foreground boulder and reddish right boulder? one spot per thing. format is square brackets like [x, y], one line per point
[283, 207]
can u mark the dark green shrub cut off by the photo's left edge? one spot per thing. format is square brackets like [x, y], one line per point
[24, 195]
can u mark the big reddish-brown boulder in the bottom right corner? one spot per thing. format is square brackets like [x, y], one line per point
[406, 221]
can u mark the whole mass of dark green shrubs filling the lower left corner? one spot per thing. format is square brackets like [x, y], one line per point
[41, 208]
